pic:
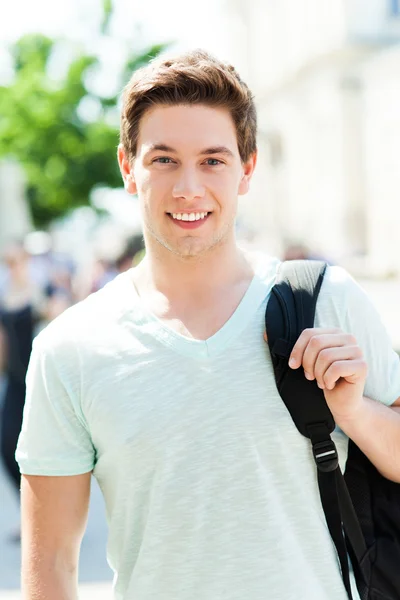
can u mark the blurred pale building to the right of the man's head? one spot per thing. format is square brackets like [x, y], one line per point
[327, 82]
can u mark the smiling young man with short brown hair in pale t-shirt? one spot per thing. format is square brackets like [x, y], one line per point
[161, 384]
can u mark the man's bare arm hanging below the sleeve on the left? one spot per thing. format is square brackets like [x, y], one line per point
[53, 518]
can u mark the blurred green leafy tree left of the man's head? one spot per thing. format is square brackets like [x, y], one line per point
[64, 155]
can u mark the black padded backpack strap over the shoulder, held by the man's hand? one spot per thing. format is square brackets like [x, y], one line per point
[290, 310]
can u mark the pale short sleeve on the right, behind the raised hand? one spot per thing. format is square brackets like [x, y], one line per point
[343, 303]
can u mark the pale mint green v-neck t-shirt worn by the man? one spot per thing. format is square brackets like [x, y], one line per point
[210, 491]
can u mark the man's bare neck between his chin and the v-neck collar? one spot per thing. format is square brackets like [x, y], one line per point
[178, 277]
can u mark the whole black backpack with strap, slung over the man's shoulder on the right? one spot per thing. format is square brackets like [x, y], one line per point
[362, 508]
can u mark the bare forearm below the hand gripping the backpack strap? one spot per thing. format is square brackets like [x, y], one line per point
[376, 431]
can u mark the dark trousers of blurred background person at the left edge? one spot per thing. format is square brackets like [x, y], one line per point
[11, 422]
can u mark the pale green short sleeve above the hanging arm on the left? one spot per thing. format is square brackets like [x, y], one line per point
[54, 438]
